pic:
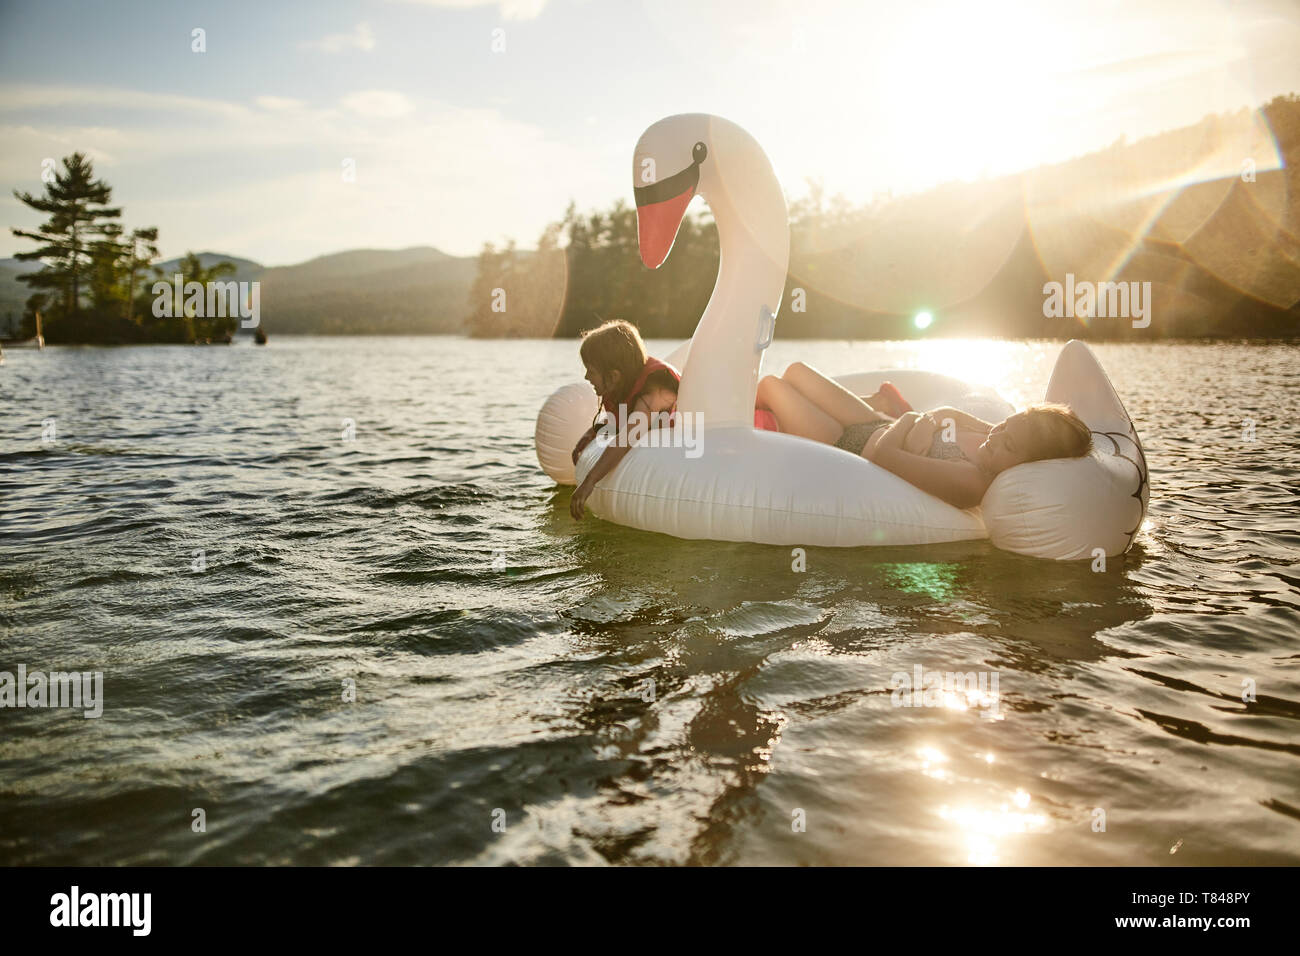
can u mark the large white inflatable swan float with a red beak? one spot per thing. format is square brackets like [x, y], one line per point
[742, 485]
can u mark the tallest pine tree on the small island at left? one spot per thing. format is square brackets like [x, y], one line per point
[77, 205]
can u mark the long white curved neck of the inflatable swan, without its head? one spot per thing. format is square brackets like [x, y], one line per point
[722, 370]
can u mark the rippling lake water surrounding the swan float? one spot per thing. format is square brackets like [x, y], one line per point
[201, 531]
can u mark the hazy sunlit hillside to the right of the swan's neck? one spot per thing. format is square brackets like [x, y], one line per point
[1216, 243]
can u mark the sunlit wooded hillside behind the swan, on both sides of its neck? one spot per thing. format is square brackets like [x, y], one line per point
[1194, 232]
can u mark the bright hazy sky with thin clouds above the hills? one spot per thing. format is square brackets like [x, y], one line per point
[471, 122]
